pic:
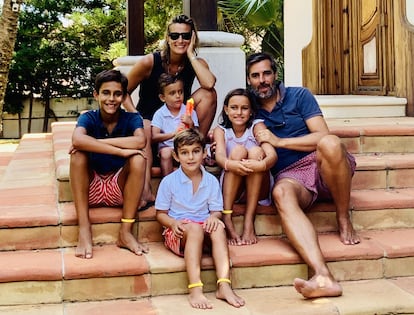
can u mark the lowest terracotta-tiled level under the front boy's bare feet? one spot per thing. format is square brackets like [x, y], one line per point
[383, 296]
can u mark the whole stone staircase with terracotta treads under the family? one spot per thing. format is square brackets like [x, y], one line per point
[38, 233]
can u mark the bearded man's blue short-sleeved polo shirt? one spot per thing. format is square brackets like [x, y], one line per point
[288, 120]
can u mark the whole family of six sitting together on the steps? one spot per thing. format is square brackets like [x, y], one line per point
[272, 144]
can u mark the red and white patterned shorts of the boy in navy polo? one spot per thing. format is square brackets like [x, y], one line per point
[104, 190]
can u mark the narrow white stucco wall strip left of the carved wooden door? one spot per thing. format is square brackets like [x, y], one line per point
[297, 35]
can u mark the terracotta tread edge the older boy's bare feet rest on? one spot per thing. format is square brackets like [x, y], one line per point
[61, 264]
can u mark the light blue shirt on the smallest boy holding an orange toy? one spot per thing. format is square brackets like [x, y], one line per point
[167, 123]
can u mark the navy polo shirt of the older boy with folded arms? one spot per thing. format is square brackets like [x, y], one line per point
[126, 126]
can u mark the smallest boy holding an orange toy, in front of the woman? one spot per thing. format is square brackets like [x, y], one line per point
[169, 119]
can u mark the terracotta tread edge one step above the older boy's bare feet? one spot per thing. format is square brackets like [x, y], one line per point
[48, 215]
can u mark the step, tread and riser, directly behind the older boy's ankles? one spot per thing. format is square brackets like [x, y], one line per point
[52, 225]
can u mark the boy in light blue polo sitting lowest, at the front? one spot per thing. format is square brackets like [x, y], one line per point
[189, 205]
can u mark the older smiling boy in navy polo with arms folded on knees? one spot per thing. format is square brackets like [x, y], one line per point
[107, 165]
